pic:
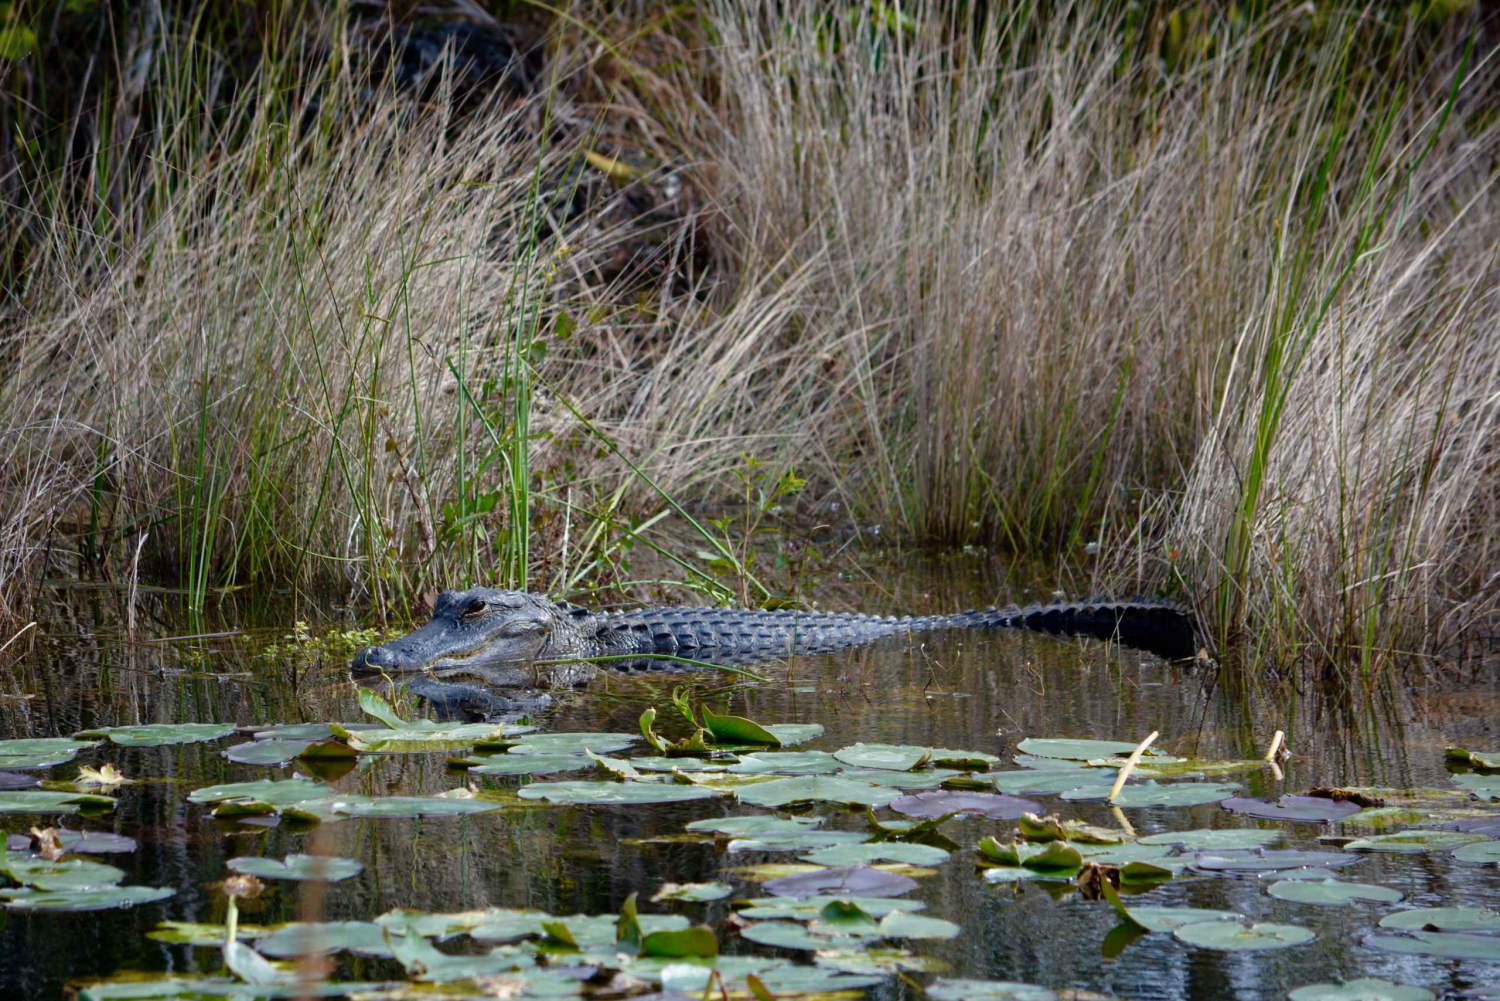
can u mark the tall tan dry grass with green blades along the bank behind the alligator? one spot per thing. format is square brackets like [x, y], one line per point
[1220, 326]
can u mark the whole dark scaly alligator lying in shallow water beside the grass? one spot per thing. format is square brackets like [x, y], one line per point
[527, 642]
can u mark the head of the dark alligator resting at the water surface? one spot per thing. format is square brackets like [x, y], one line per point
[481, 633]
